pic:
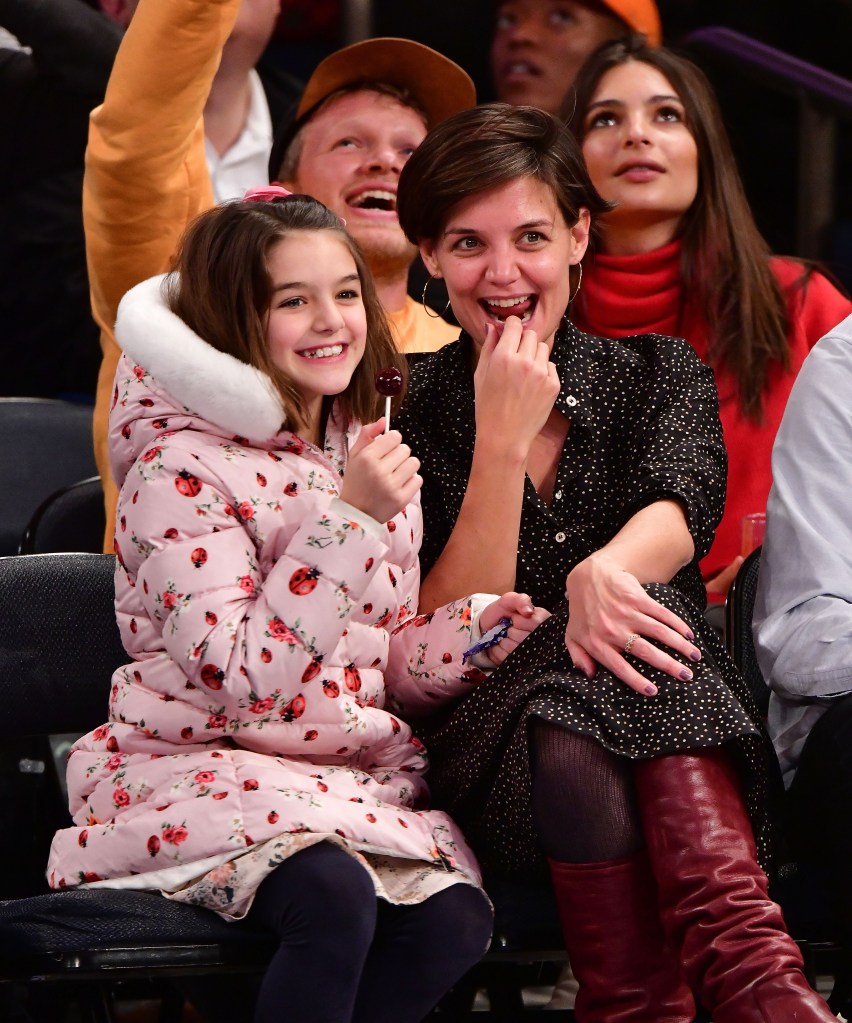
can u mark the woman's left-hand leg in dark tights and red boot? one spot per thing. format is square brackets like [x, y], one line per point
[587, 818]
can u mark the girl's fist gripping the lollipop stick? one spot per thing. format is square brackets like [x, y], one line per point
[382, 475]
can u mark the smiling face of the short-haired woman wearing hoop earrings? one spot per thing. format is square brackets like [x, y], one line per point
[508, 252]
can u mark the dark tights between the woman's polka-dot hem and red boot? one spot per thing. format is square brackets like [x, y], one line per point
[585, 805]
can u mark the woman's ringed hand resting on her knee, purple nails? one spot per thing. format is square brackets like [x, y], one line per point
[609, 612]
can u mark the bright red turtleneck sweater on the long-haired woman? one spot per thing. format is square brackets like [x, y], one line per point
[624, 295]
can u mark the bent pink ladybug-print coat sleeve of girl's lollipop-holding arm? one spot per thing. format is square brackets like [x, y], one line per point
[208, 603]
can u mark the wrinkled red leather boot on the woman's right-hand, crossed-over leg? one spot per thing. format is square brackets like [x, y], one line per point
[714, 902]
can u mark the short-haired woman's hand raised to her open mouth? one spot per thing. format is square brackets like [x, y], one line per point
[516, 385]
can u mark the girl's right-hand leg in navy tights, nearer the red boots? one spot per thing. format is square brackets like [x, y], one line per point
[420, 952]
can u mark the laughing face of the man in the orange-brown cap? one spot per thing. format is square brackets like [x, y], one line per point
[352, 154]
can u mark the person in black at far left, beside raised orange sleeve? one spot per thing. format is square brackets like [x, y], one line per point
[49, 85]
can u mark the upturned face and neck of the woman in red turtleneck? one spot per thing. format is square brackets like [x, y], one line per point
[641, 154]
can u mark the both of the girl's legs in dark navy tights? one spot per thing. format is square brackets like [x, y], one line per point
[347, 956]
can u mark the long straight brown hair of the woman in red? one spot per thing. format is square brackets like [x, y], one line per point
[726, 260]
